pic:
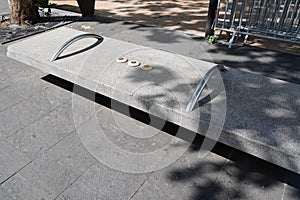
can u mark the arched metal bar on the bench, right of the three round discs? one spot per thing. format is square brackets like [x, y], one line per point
[201, 86]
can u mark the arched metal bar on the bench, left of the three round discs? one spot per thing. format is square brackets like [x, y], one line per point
[71, 41]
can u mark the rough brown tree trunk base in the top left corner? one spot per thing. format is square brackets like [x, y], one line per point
[21, 10]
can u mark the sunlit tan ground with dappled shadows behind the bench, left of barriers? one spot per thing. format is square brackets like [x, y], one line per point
[176, 15]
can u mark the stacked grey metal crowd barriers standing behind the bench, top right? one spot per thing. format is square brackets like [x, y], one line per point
[272, 19]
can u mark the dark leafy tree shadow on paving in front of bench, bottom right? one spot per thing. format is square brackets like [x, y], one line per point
[242, 179]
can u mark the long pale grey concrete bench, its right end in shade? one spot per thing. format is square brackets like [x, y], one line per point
[255, 114]
